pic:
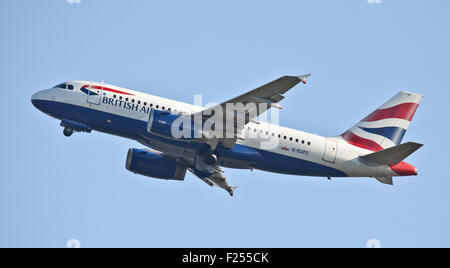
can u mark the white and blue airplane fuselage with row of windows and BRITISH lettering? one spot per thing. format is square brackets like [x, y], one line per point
[116, 102]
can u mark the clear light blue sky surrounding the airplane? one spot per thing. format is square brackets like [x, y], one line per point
[54, 188]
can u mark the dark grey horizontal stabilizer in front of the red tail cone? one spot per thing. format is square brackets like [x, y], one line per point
[393, 155]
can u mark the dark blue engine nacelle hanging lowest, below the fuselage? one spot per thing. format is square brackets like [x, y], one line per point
[155, 165]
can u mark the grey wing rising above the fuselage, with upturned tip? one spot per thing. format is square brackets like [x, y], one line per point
[260, 100]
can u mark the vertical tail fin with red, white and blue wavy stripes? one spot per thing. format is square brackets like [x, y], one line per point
[386, 126]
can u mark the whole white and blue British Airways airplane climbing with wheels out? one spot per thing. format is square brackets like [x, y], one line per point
[371, 148]
